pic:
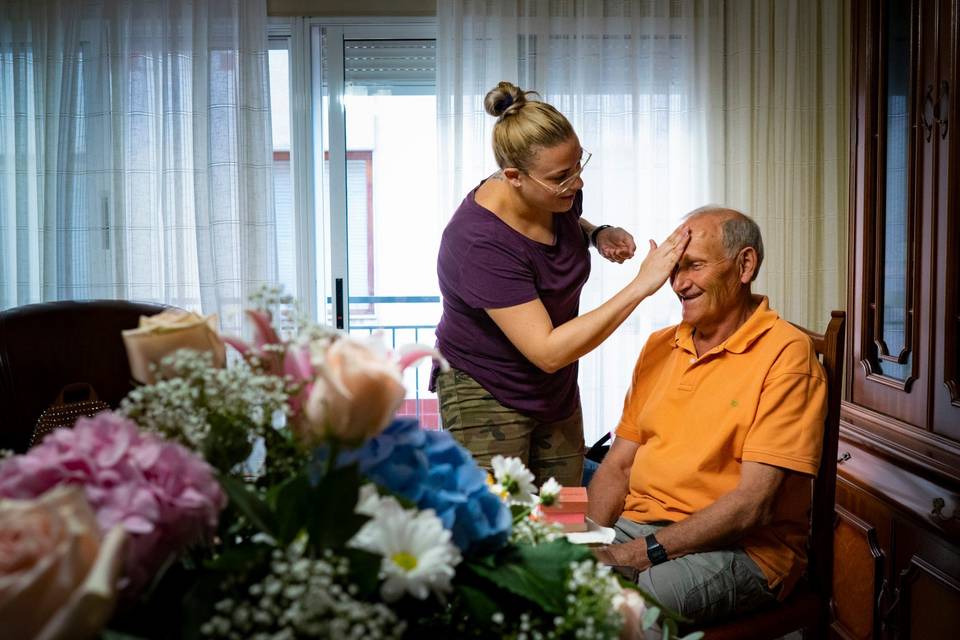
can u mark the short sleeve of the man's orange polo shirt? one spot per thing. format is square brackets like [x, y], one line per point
[787, 430]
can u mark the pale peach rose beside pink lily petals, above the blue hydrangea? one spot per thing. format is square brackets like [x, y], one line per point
[355, 394]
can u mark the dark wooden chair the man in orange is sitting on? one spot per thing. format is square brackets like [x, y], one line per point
[808, 607]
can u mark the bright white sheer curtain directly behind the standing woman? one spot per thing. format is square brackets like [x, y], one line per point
[642, 84]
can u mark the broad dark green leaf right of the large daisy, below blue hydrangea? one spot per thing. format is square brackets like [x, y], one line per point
[537, 573]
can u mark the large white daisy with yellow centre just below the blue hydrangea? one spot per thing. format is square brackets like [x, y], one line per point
[418, 556]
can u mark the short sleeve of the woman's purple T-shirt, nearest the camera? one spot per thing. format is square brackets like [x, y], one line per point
[493, 277]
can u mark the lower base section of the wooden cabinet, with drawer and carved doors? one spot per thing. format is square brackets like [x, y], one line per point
[896, 560]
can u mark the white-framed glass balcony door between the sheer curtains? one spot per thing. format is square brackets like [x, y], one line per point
[375, 161]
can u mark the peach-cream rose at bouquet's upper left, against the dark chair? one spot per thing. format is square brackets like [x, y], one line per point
[162, 334]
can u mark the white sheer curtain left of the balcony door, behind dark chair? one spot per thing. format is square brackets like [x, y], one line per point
[134, 152]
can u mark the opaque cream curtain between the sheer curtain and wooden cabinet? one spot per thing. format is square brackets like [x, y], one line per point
[786, 158]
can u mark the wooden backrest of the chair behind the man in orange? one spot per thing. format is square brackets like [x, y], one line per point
[829, 346]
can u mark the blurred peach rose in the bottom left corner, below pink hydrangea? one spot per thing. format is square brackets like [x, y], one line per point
[57, 576]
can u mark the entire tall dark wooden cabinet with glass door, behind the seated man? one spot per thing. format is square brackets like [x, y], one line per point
[897, 571]
